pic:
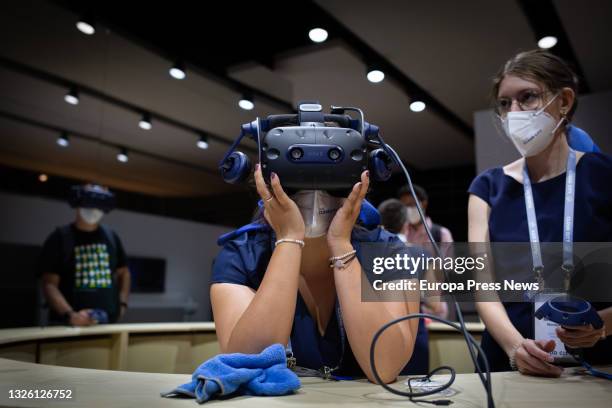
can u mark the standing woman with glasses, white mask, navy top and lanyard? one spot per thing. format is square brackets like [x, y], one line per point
[535, 94]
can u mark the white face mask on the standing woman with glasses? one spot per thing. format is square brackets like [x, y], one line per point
[530, 131]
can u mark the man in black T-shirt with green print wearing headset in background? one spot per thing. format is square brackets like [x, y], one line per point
[83, 265]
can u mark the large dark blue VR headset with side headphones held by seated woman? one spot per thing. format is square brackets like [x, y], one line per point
[311, 150]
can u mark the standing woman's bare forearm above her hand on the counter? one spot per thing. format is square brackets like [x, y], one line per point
[499, 325]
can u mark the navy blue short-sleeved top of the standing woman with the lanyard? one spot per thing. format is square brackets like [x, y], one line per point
[508, 223]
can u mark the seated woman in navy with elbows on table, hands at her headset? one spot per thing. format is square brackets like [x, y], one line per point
[299, 283]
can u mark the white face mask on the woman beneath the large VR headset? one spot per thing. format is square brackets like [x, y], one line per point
[318, 209]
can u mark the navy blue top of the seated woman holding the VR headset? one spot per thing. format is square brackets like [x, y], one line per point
[244, 260]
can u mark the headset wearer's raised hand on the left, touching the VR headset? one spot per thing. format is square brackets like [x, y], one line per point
[280, 211]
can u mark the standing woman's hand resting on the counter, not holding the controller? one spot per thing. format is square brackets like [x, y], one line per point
[532, 357]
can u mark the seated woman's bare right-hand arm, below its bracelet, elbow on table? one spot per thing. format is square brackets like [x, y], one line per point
[362, 320]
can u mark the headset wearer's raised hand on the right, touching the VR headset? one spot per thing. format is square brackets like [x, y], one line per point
[339, 232]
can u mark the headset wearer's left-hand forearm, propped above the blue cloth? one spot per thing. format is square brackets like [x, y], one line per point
[269, 317]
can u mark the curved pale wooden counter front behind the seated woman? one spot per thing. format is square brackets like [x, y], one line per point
[168, 347]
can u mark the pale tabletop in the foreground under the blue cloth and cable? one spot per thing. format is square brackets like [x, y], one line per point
[101, 388]
